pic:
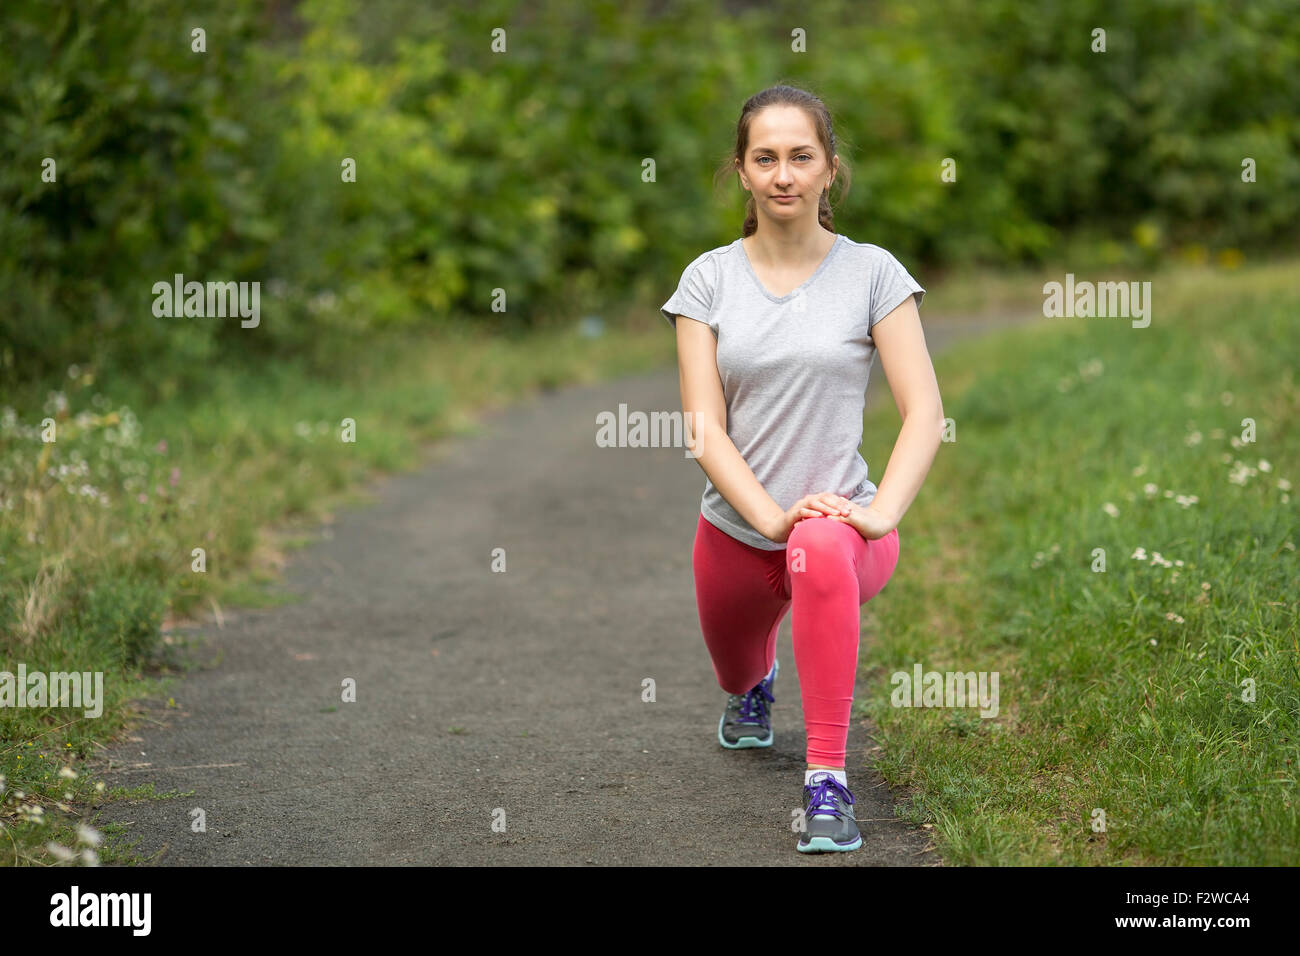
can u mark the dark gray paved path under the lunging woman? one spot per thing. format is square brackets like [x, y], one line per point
[482, 693]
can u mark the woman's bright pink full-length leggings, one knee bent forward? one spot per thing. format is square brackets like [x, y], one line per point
[827, 572]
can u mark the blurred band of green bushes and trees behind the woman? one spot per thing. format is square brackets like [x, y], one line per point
[523, 170]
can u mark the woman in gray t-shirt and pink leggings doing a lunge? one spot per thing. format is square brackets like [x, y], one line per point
[774, 373]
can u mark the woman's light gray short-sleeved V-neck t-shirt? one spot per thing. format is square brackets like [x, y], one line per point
[794, 369]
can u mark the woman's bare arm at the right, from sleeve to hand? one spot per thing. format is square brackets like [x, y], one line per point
[905, 358]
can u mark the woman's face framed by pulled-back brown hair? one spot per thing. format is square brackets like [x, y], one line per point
[786, 159]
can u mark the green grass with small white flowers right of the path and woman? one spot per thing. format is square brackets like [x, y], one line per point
[1120, 690]
